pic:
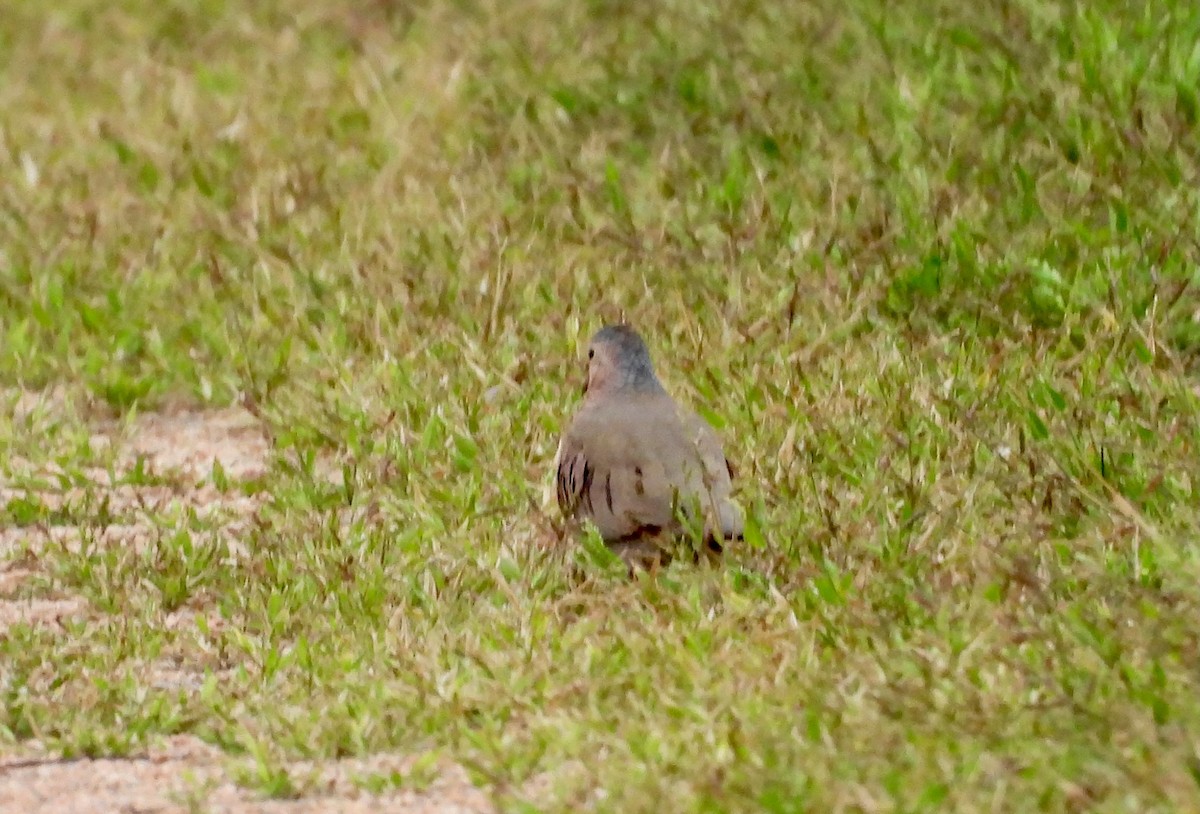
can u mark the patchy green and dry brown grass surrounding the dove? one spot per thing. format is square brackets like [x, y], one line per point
[933, 270]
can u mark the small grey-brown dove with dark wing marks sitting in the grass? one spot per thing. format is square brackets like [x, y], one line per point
[645, 471]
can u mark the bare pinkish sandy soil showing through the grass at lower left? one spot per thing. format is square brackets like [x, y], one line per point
[182, 774]
